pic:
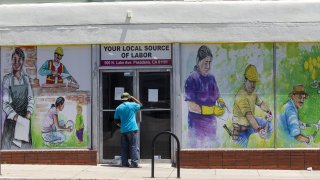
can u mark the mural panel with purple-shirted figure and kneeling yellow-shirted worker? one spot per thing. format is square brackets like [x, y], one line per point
[228, 95]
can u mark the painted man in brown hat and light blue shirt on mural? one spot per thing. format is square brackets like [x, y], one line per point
[289, 122]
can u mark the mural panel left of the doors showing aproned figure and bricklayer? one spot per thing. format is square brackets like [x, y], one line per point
[46, 108]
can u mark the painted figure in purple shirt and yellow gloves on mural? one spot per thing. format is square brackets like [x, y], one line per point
[203, 98]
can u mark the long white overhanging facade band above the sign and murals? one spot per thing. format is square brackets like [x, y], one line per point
[219, 21]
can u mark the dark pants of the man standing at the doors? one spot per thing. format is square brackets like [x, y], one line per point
[129, 144]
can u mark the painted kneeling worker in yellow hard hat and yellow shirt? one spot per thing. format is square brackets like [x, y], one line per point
[245, 122]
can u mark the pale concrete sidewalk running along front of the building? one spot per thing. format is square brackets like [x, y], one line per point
[162, 171]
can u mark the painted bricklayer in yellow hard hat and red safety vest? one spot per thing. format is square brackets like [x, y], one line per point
[55, 71]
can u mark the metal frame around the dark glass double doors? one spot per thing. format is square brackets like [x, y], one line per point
[136, 93]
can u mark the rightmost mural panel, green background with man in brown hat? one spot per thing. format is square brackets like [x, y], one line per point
[298, 95]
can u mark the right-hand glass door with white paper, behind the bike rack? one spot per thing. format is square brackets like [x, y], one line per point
[155, 95]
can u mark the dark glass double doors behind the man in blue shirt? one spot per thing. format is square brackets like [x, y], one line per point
[153, 89]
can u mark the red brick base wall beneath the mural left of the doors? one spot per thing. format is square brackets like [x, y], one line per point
[79, 157]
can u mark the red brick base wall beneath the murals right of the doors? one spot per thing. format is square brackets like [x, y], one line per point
[251, 159]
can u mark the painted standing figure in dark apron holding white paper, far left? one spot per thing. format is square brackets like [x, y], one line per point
[17, 102]
